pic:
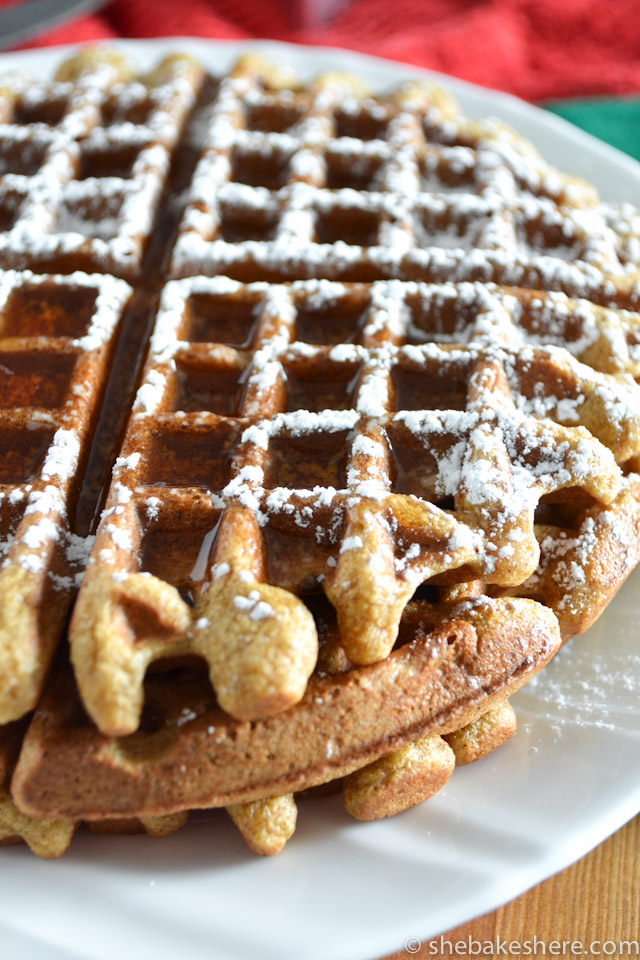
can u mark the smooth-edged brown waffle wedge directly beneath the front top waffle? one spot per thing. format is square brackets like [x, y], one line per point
[454, 662]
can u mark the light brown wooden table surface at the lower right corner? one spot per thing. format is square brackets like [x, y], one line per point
[596, 899]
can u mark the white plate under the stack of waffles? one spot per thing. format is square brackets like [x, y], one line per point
[342, 889]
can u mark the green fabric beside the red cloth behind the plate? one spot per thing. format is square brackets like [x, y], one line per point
[615, 120]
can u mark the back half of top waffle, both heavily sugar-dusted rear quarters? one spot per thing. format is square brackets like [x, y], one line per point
[285, 181]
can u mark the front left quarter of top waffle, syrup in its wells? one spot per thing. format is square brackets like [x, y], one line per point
[56, 340]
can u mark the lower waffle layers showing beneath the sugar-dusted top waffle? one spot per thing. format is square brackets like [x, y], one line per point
[388, 734]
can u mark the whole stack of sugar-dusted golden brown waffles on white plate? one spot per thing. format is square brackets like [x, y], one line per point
[350, 383]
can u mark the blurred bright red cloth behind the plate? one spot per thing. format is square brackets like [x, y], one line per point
[535, 48]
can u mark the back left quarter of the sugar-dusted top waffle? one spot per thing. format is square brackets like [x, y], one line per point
[84, 160]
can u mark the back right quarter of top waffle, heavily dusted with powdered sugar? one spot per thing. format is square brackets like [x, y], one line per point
[329, 181]
